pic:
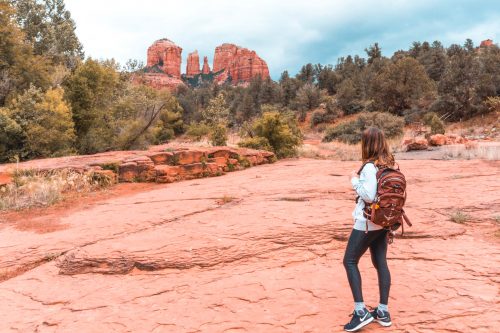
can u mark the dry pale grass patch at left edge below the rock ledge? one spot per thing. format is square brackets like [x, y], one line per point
[34, 188]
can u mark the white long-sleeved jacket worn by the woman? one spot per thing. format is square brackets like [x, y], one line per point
[366, 187]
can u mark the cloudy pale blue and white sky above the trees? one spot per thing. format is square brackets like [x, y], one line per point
[285, 33]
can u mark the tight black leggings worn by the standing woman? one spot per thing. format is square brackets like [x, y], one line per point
[358, 243]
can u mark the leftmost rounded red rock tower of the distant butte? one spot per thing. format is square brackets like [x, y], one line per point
[167, 56]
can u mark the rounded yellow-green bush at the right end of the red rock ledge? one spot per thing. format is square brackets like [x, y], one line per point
[280, 130]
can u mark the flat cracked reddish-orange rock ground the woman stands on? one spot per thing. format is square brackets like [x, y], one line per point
[258, 250]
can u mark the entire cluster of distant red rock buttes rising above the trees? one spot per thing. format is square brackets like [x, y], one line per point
[232, 64]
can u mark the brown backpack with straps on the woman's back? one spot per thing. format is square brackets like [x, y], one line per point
[387, 208]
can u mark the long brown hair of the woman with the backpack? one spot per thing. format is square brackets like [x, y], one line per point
[374, 148]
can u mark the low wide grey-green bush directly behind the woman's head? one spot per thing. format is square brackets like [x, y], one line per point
[350, 132]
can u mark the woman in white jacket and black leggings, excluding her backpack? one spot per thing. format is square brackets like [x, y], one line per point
[367, 235]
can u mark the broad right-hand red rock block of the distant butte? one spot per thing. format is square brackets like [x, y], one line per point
[238, 63]
